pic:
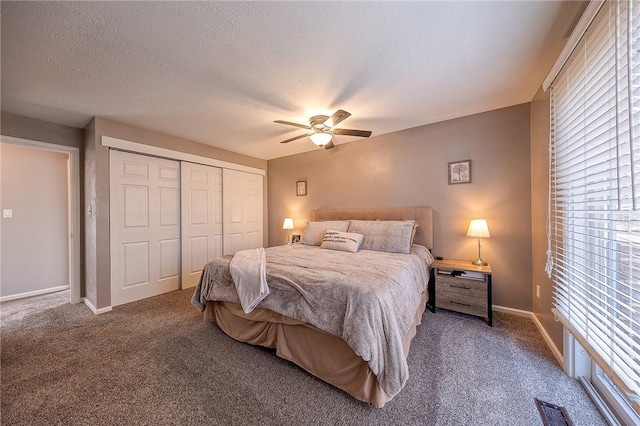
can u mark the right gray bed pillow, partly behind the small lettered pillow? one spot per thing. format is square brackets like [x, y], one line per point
[392, 236]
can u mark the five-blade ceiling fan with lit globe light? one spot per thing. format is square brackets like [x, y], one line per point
[322, 129]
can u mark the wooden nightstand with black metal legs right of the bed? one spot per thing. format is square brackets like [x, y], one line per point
[464, 287]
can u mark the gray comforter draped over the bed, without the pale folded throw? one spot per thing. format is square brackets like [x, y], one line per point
[369, 298]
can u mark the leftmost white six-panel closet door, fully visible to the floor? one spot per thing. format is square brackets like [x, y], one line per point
[145, 226]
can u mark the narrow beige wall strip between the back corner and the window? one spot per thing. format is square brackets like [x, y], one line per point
[539, 202]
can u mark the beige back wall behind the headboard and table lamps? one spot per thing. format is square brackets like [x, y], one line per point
[409, 168]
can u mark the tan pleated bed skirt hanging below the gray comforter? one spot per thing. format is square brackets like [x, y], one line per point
[324, 355]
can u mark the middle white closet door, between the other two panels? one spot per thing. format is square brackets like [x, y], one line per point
[201, 219]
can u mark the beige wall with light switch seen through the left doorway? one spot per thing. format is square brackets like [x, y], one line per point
[35, 240]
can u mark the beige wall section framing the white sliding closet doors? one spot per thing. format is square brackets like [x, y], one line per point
[98, 277]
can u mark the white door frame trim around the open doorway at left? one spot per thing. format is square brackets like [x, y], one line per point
[73, 182]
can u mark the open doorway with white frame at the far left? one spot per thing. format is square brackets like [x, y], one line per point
[19, 221]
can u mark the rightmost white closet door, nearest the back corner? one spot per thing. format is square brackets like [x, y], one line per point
[242, 206]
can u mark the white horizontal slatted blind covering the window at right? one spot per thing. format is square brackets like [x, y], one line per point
[594, 203]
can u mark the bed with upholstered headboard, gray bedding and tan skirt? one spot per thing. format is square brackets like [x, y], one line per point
[353, 333]
